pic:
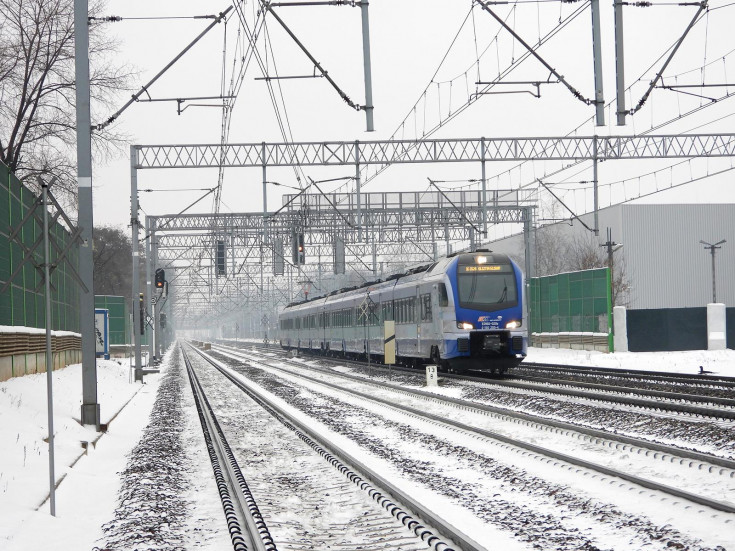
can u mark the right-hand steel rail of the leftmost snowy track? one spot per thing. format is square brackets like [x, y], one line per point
[346, 463]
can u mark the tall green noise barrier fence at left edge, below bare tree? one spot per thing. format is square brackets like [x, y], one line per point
[22, 302]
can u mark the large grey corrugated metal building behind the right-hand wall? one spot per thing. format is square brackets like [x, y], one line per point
[666, 265]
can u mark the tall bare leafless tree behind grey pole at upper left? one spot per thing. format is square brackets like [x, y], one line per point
[37, 91]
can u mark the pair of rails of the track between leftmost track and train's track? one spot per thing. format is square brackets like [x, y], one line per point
[692, 459]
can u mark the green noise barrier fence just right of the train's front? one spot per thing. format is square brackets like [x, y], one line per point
[574, 302]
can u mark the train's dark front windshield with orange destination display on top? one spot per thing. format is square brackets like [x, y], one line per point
[487, 287]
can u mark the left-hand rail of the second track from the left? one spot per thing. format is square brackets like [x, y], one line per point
[694, 498]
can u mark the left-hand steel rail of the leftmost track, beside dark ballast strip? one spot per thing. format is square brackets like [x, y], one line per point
[238, 503]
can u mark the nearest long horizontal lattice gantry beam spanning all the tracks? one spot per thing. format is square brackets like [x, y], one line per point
[434, 151]
